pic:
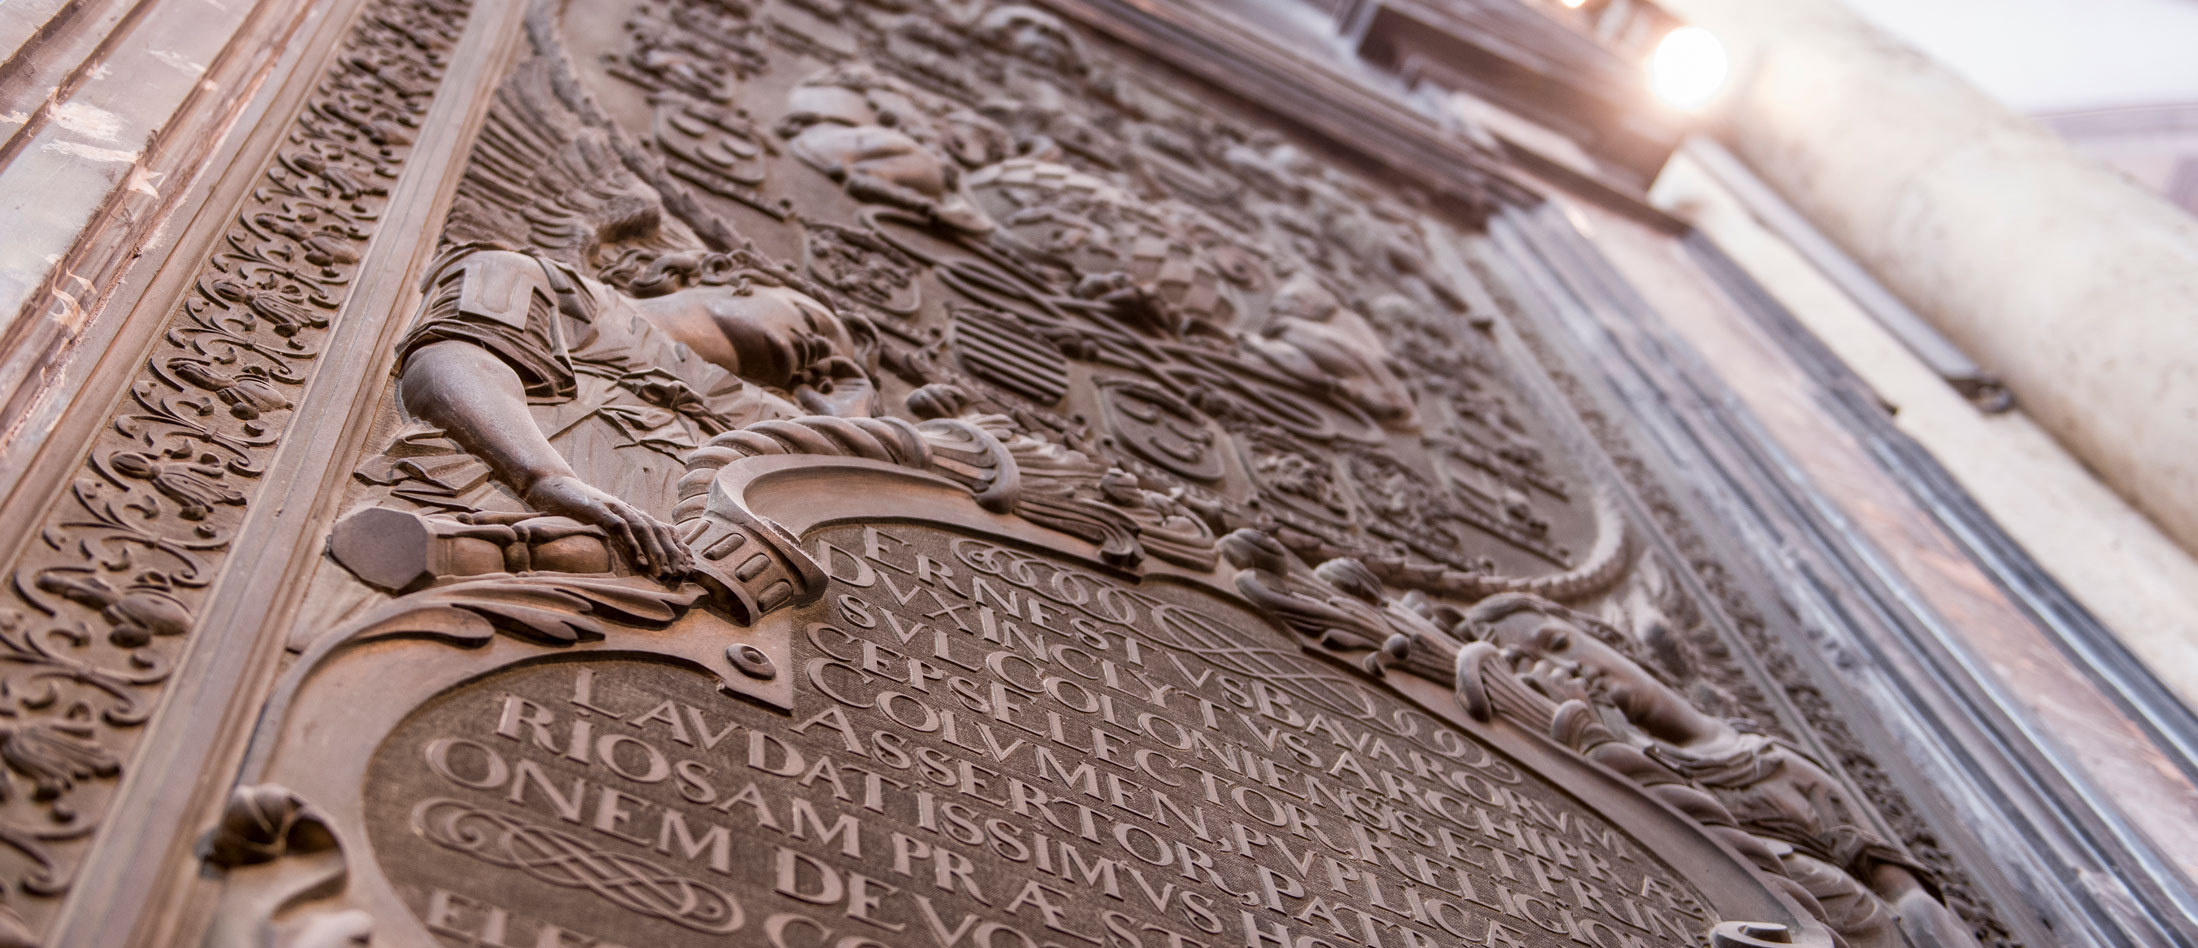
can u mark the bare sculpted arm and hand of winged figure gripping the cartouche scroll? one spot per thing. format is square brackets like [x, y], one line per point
[482, 406]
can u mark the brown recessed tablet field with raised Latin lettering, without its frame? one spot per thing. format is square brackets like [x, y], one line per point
[992, 751]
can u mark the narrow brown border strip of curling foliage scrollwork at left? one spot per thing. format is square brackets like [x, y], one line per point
[98, 608]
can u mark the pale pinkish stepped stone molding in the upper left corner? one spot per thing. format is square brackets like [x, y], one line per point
[124, 122]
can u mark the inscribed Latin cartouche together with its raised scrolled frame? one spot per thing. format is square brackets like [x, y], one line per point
[984, 738]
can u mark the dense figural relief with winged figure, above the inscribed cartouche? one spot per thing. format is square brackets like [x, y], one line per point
[1170, 296]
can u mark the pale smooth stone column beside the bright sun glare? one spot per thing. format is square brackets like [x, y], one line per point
[2056, 274]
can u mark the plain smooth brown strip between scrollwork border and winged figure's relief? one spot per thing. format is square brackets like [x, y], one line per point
[217, 701]
